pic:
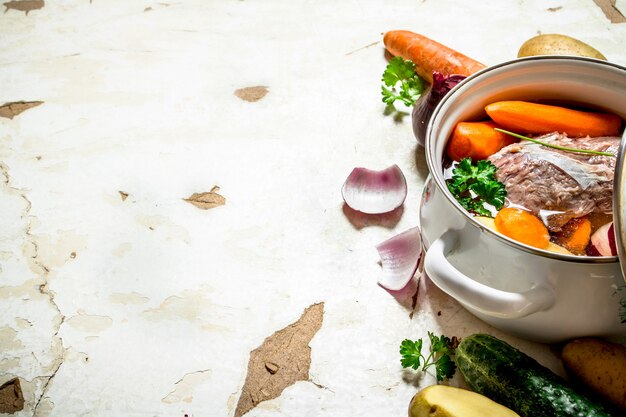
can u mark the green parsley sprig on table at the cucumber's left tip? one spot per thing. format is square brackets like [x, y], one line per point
[440, 355]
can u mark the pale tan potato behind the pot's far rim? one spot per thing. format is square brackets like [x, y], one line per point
[555, 44]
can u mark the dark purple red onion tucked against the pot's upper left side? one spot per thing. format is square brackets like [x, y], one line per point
[424, 106]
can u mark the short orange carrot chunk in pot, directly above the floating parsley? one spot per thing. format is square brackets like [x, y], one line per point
[477, 140]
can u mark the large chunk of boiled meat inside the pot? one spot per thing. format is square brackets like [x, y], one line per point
[558, 185]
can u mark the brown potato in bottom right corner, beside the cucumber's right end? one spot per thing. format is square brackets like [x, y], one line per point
[600, 366]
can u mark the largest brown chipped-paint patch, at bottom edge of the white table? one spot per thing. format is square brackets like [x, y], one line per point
[282, 359]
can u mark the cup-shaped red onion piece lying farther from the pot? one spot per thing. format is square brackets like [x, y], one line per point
[375, 192]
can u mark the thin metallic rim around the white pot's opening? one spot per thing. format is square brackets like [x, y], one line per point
[440, 182]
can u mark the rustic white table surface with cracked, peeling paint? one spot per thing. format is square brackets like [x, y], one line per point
[170, 177]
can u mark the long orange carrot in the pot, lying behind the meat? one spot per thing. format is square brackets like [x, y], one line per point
[535, 118]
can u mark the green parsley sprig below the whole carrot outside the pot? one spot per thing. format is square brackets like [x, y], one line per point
[401, 82]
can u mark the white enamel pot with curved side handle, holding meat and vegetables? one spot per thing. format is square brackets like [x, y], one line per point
[531, 293]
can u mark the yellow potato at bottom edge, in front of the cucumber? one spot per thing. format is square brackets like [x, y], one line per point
[446, 401]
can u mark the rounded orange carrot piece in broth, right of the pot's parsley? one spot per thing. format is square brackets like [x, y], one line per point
[523, 226]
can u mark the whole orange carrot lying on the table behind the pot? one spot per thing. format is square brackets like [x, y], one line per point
[428, 55]
